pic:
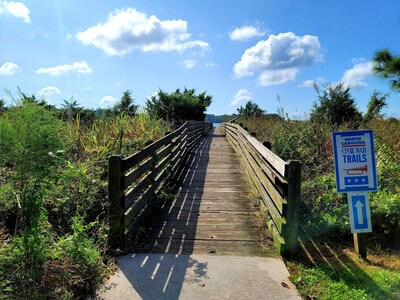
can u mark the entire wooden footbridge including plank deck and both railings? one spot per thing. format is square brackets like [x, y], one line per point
[200, 186]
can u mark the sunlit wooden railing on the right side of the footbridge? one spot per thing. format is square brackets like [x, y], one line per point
[276, 181]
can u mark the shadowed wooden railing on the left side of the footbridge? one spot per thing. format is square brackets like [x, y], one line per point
[135, 182]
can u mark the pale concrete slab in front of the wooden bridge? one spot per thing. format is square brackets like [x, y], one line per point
[173, 276]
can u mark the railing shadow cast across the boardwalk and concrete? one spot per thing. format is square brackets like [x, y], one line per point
[157, 275]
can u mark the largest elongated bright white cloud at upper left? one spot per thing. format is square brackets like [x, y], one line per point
[129, 29]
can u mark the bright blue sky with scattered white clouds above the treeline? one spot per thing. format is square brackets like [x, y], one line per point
[234, 50]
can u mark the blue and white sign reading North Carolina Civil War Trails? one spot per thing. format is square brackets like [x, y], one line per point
[355, 166]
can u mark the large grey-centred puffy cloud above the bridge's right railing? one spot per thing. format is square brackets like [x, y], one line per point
[279, 58]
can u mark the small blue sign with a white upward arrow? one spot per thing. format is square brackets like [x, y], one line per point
[360, 214]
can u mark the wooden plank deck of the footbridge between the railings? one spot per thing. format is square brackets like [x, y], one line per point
[211, 212]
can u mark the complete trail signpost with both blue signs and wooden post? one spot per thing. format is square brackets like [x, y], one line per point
[355, 171]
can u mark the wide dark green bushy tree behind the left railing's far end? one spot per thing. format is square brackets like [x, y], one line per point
[178, 106]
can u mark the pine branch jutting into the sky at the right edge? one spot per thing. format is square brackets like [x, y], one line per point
[387, 66]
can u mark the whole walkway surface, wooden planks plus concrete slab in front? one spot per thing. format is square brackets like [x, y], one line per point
[204, 243]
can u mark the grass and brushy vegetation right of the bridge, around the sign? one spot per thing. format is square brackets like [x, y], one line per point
[324, 268]
